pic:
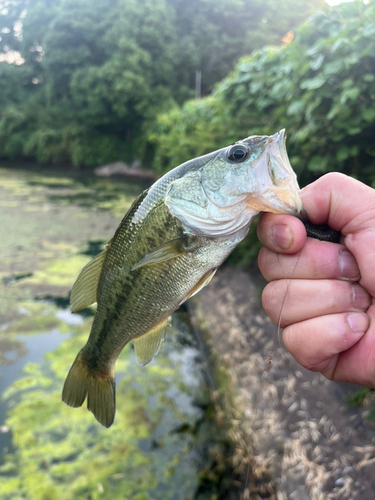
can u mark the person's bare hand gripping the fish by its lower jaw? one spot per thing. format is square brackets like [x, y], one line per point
[329, 311]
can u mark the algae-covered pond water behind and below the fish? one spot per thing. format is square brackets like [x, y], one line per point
[164, 443]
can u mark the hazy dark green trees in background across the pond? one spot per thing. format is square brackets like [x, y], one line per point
[92, 77]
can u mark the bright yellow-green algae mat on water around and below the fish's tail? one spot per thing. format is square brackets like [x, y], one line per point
[63, 453]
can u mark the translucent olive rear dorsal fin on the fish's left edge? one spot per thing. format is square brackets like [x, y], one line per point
[84, 292]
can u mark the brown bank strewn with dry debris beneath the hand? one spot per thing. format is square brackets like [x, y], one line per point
[291, 422]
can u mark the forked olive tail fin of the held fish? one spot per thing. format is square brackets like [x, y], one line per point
[98, 386]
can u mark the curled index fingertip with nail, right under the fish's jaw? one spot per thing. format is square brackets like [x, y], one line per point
[281, 233]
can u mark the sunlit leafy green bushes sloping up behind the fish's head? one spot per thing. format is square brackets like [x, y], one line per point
[320, 87]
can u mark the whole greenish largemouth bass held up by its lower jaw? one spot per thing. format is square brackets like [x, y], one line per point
[166, 249]
